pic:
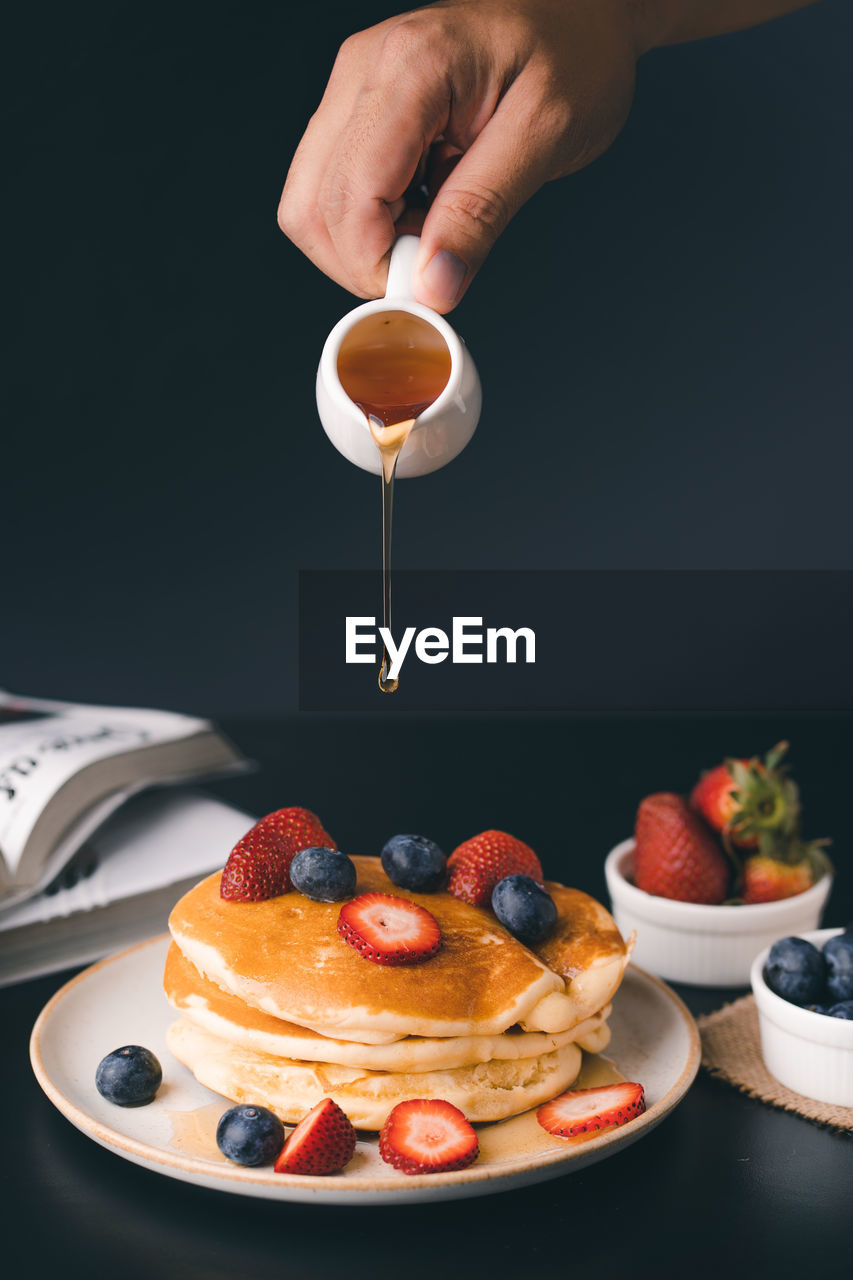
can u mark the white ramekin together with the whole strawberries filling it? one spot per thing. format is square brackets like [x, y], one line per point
[711, 879]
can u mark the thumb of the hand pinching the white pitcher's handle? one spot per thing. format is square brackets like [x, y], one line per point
[487, 186]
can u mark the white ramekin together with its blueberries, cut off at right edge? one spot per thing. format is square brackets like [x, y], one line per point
[804, 989]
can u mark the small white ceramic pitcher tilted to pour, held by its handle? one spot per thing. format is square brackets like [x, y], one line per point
[445, 428]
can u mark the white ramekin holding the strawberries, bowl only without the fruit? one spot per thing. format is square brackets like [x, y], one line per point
[708, 947]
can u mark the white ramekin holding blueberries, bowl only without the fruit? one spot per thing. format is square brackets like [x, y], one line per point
[808, 1053]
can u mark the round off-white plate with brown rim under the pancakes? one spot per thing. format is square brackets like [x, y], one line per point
[121, 1002]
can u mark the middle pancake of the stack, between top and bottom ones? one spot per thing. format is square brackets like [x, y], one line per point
[222, 1014]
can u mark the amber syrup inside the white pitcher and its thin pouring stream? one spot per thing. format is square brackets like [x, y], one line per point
[393, 365]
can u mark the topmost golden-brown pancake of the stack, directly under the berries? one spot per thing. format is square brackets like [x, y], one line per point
[284, 957]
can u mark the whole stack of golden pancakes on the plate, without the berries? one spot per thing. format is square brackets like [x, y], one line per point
[277, 1011]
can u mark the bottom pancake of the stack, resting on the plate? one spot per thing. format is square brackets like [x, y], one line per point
[487, 1091]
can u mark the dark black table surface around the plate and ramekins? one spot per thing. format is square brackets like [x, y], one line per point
[726, 1185]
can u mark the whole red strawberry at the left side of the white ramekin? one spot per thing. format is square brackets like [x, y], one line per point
[676, 856]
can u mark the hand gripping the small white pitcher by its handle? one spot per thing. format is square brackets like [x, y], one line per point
[482, 102]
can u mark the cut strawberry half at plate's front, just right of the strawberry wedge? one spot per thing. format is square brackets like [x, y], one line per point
[428, 1136]
